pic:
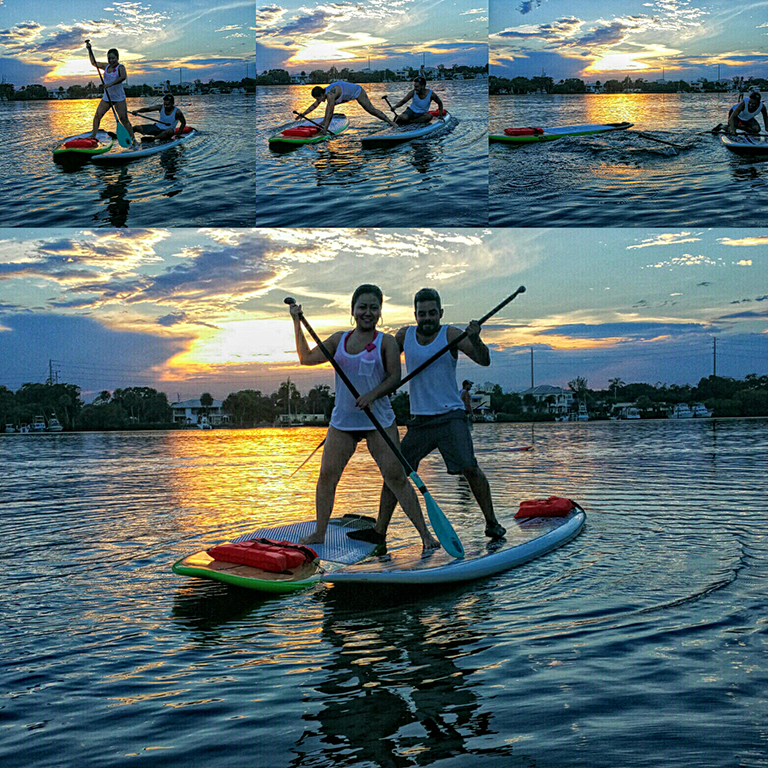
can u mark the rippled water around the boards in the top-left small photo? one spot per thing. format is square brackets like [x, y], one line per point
[207, 181]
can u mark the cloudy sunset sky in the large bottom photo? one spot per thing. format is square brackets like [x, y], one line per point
[189, 311]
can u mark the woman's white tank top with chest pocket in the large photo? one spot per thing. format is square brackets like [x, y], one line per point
[366, 371]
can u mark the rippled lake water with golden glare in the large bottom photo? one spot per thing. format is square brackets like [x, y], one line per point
[640, 643]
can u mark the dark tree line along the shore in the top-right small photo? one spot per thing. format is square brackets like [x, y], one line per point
[522, 85]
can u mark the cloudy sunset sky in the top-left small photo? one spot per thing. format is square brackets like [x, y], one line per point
[44, 42]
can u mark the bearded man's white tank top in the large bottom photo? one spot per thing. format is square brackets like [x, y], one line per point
[434, 390]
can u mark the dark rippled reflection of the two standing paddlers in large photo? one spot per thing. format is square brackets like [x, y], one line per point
[393, 673]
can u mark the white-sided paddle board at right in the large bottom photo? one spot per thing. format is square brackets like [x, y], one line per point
[526, 539]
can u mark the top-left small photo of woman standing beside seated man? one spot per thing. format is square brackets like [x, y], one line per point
[171, 147]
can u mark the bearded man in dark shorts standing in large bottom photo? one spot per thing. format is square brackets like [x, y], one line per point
[439, 417]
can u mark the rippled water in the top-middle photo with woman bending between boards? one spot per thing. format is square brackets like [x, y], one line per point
[434, 181]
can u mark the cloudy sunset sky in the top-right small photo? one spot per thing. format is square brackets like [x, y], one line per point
[591, 40]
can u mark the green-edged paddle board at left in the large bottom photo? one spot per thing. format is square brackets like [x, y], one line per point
[337, 551]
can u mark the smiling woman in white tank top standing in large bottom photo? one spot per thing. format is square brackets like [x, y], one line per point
[371, 360]
